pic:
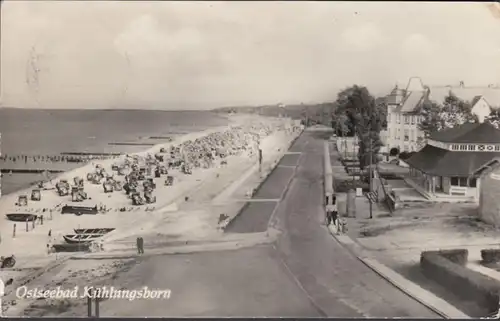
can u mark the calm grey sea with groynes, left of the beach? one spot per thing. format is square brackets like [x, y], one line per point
[36, 132]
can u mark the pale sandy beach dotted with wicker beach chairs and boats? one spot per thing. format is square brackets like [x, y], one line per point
[187, 212]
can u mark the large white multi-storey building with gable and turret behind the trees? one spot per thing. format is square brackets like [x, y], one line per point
[403, 118]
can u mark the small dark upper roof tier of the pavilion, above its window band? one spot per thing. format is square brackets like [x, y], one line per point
[473, 133]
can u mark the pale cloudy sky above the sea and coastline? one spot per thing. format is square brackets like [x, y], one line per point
[197, 55]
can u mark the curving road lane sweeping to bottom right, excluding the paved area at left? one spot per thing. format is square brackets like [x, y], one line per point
[334, 279]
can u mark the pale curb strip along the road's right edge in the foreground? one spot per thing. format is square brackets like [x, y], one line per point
[446, 310]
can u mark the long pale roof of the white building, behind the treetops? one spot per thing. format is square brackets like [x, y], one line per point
[491, 94]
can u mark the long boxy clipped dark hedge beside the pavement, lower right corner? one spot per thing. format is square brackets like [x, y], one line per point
[448, 269]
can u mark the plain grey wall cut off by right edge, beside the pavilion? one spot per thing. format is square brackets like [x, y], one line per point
[489, 206]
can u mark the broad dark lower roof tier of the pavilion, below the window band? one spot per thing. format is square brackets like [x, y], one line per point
[441, 162]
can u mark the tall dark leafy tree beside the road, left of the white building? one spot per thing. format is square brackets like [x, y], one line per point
[366, 117]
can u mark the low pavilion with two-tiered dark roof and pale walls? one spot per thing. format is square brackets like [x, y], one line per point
[452, 163]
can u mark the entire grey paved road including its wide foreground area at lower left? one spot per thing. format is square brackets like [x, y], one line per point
[306, 273]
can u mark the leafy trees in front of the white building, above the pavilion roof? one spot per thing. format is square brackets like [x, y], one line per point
[452, 113]
